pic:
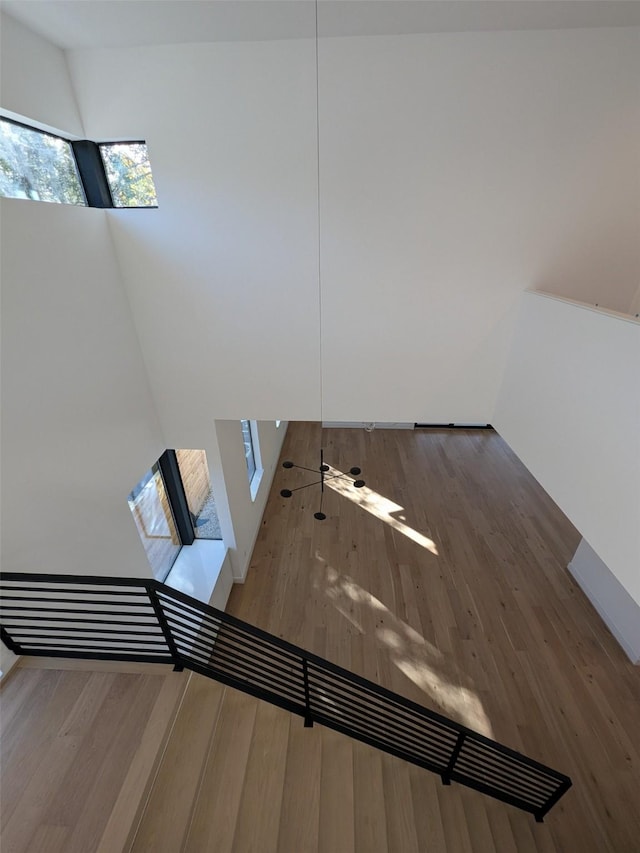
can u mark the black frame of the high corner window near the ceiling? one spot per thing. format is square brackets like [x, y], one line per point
[90, 167]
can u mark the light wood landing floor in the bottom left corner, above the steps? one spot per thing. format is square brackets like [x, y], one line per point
[79, 750]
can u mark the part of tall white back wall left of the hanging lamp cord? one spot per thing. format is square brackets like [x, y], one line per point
[223, 276]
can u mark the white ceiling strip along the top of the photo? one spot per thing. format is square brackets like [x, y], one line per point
[126, 23]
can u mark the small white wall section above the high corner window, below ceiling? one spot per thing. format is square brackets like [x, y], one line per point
[34, 79]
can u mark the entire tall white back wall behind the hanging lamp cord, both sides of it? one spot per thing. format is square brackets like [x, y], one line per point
[456, 170]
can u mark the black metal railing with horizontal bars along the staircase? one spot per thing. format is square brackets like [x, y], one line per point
[130, 619]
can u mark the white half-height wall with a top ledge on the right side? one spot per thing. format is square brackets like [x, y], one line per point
[570, 408]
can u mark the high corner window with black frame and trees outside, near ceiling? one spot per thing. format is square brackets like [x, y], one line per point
[41, 166]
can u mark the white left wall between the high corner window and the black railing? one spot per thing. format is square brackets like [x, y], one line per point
[79, 427]
